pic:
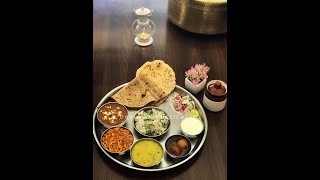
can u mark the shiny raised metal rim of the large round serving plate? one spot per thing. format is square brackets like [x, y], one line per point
[200, 109]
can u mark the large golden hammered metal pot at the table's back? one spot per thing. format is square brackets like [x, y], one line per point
[199, 16]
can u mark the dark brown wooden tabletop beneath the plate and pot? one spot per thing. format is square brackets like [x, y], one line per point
[116, 59]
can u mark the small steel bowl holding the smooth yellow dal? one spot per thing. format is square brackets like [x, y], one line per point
[144, 149]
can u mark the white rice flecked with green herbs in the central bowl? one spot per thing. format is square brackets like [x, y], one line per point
[151, 122]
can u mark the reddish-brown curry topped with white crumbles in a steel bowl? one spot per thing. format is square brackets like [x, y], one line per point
[112, 114]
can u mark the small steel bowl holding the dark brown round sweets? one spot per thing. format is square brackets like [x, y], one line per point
[172, 140]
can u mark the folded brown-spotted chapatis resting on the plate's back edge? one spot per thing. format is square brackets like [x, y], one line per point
[153, 83]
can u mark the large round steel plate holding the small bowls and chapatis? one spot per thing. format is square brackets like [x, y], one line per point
[175, 120]
